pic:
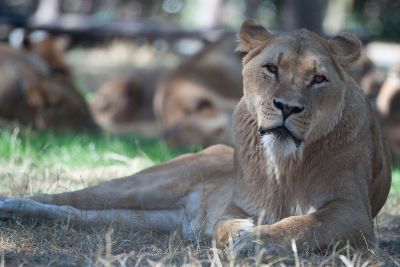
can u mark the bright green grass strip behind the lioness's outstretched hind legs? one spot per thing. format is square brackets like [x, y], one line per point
[75, 150]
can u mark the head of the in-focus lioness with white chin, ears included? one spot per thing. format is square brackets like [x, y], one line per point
[294, 86]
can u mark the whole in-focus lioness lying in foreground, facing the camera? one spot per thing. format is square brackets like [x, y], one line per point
[310, 164]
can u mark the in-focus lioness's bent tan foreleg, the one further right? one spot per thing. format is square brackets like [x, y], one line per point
[316, 231]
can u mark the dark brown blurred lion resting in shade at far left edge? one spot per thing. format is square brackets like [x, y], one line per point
[39, 91]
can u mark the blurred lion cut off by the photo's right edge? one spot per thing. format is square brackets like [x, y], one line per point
[388, 108]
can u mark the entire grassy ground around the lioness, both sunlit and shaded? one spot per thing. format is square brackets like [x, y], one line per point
[50, 163]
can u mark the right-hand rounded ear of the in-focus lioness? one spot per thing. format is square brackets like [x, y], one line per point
[346, 47]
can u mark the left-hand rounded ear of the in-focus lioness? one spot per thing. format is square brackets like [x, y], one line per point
[252, 35]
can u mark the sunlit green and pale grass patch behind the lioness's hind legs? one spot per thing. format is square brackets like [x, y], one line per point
[49, 162]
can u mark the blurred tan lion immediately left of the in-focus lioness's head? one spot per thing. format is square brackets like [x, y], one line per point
[195, 102]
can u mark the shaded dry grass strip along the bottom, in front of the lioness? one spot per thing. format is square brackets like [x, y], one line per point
[55, 244]
